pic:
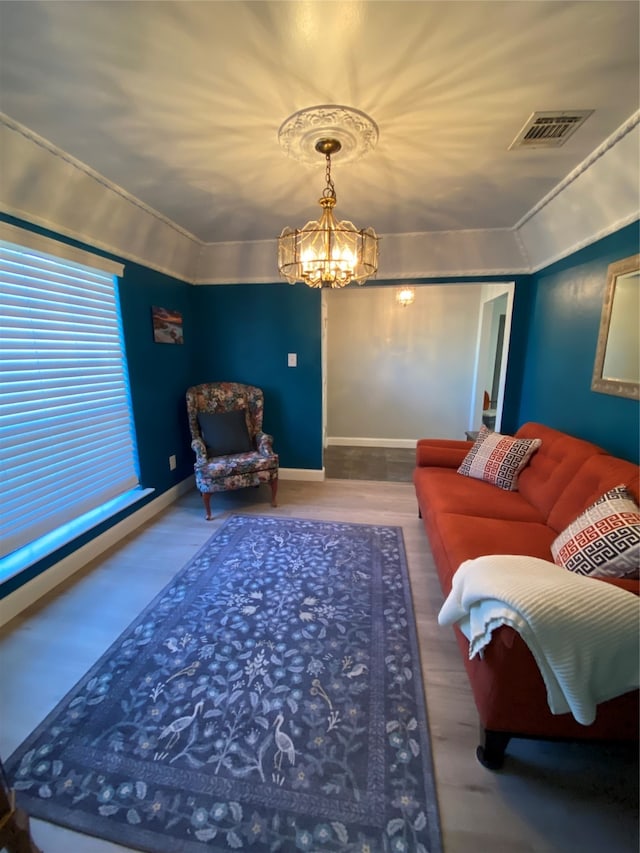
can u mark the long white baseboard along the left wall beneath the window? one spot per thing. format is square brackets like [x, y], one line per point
[29, 593]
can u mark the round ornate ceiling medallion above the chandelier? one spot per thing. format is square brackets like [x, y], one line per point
[299, 134]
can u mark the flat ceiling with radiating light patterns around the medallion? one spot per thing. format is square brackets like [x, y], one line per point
[179, 103]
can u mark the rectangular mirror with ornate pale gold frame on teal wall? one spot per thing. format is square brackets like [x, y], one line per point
[617, 365]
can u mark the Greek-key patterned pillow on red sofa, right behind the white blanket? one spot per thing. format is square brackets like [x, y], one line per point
[604, 540]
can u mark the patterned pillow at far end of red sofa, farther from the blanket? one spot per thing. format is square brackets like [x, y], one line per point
[498, 459]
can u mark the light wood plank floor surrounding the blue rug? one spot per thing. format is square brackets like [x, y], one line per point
[550, 798]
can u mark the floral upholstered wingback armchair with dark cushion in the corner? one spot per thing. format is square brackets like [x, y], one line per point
[232, 452]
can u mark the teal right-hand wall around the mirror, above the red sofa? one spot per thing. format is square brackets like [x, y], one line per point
[563, 332]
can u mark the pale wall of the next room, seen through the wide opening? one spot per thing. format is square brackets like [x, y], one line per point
[400, 373]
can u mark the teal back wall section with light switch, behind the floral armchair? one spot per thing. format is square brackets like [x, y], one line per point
[244, 333]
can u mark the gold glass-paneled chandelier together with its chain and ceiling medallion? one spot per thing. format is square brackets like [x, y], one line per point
[327, 253]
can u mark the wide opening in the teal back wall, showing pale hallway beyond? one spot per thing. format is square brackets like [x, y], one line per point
[393, 374]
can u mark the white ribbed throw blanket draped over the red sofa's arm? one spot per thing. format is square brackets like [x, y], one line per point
[583, 633]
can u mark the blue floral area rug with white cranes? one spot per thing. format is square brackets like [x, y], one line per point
[269, 699]
